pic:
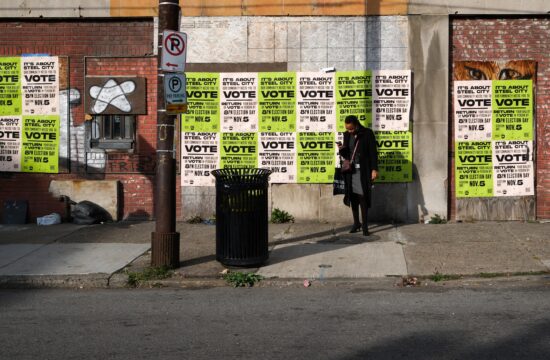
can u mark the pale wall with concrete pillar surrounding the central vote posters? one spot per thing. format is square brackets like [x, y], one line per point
[419, 43]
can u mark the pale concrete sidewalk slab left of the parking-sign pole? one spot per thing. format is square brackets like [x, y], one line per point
[75, 259]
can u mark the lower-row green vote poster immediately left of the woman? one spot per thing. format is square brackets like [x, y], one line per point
[315, 157]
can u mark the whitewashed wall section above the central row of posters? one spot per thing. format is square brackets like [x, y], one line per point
[305, 43]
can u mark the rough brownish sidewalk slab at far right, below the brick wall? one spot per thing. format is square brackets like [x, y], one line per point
[474, 248]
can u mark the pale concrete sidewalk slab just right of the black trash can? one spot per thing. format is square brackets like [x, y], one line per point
[324, 260]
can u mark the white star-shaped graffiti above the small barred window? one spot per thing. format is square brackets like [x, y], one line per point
[112, 94]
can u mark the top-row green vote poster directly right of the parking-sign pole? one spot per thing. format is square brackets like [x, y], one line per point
[203, 103]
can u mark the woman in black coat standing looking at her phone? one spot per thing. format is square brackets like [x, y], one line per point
[359, 183]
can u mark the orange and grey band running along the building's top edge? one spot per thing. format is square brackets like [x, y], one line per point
[149, 8]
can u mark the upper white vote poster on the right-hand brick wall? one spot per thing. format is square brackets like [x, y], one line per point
[473, 110]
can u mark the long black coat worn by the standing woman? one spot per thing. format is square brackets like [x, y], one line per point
[368, 161]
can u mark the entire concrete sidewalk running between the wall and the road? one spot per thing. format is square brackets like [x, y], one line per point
[69, 255]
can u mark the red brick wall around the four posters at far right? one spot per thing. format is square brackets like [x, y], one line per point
[513, 39]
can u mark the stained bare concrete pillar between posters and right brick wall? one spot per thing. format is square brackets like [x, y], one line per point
[429, 44]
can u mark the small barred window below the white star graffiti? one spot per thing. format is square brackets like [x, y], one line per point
[112, 132]
